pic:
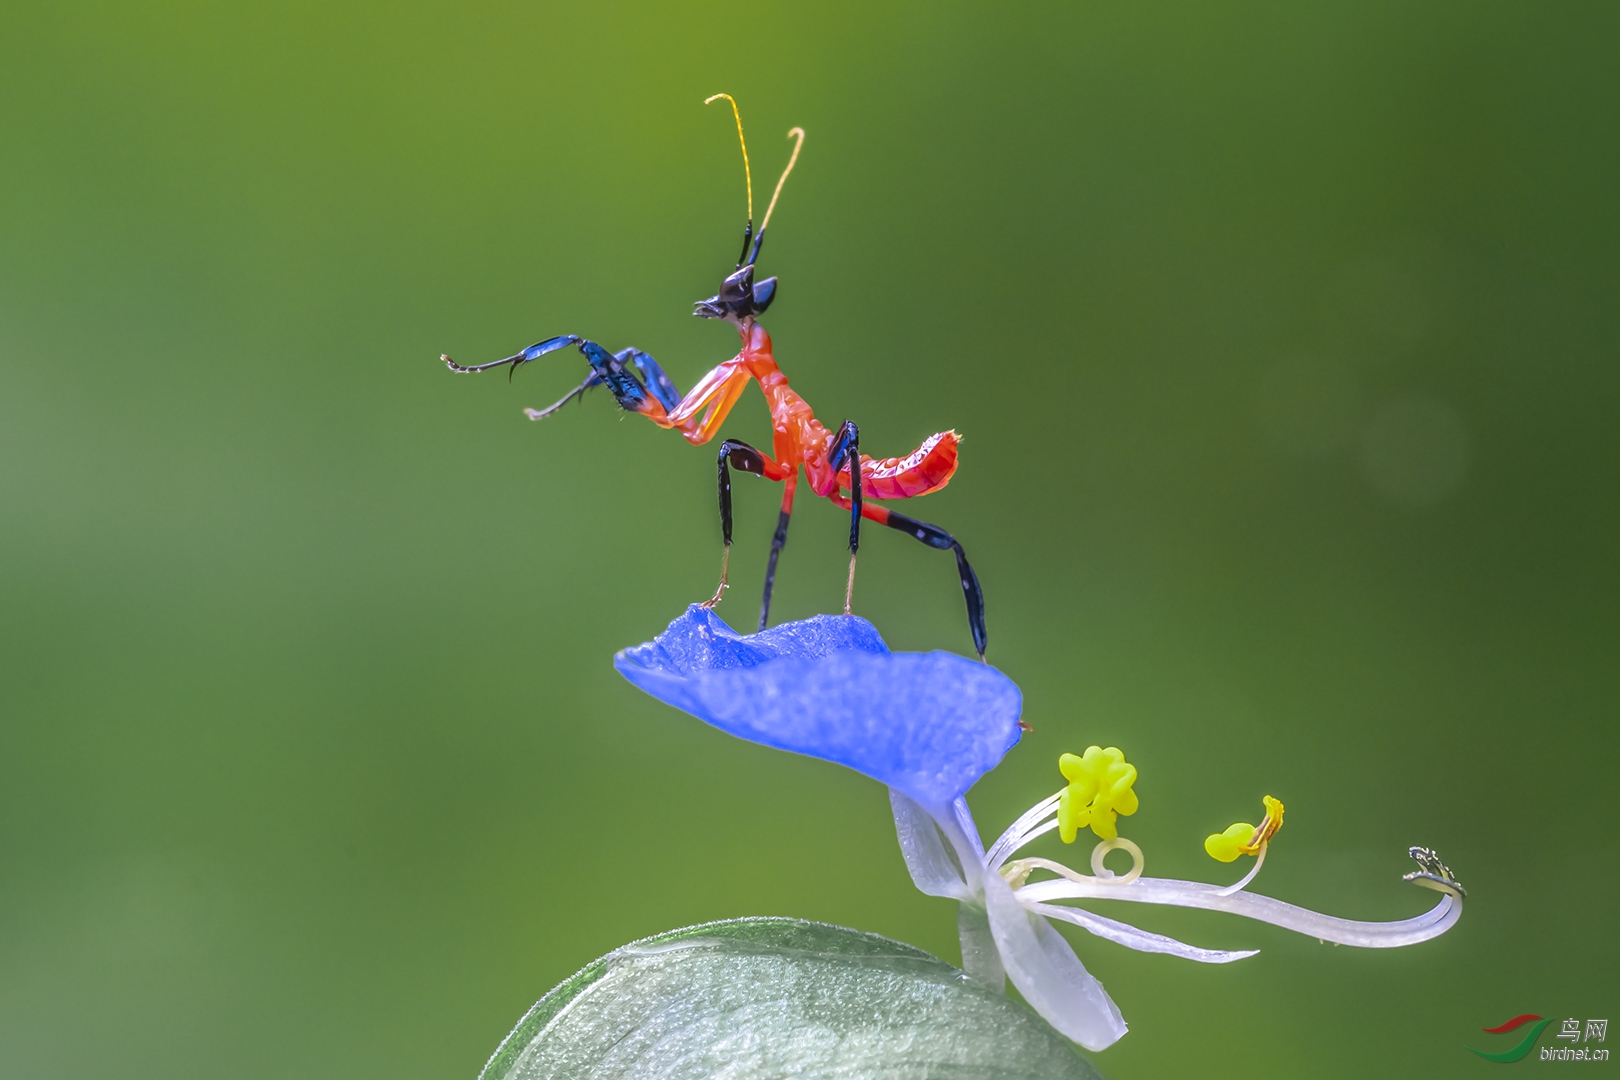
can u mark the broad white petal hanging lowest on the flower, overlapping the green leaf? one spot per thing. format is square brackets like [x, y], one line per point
[1047, 972]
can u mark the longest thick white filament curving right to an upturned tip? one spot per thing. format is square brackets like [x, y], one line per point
[1344, 932]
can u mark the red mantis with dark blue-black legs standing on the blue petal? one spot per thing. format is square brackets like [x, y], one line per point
[799, 440]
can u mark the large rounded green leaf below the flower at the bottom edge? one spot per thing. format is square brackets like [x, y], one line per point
[757, 998]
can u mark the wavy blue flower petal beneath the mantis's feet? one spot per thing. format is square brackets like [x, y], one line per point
[927, 725]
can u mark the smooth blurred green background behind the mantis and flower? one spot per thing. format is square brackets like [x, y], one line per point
[1282, 339]
